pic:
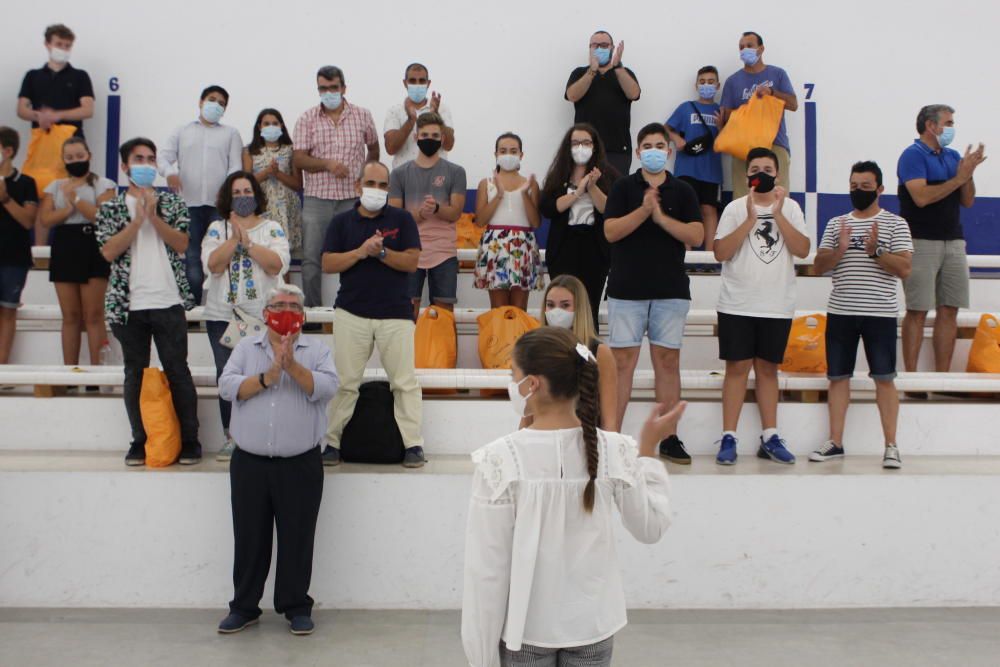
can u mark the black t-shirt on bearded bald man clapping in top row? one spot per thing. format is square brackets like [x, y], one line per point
[606, 107]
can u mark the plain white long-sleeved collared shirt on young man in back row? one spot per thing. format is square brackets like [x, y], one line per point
[203, 155]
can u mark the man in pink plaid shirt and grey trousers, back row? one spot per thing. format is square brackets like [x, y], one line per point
[329, 145]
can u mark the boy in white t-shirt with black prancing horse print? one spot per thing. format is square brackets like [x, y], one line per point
[757, 238]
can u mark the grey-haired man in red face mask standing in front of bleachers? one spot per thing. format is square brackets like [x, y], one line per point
[279, 384]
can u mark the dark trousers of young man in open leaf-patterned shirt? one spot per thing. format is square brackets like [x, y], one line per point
[167, 328]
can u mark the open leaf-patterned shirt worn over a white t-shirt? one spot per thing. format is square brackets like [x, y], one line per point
[113, 217]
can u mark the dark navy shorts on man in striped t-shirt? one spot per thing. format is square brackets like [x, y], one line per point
[878, 334]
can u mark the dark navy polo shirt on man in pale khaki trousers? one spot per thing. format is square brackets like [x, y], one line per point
[371, 288]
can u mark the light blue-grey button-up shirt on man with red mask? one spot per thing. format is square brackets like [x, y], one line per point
[282, 420]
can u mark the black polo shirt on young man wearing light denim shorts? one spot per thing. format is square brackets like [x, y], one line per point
[649, 262]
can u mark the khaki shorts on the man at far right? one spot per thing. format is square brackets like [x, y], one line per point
[940, 276]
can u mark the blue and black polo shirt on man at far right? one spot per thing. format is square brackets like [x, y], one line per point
[941, 220]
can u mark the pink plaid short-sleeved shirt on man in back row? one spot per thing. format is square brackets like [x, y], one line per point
[346, 141]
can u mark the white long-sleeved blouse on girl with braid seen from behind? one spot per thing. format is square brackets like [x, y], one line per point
[540, 569]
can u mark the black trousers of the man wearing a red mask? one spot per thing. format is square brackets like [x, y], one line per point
[266, 492]
